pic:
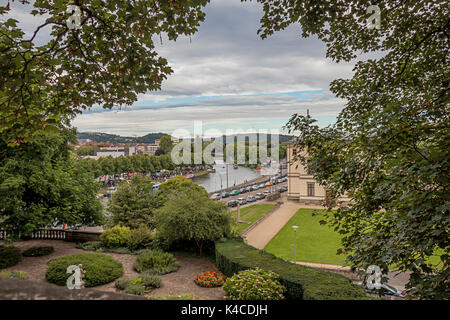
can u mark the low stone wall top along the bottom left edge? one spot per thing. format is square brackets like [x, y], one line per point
[17, 289]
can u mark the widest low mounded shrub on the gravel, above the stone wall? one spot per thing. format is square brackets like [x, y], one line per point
[99, 268]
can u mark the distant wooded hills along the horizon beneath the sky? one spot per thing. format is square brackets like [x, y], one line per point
[148, 138]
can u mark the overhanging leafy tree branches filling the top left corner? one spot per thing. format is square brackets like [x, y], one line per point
[107, 60]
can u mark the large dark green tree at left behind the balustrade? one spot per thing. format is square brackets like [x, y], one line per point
[39, 185]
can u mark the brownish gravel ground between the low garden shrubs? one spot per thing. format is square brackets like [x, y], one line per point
[175, 283]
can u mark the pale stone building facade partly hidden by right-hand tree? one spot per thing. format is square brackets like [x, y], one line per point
[301, 185]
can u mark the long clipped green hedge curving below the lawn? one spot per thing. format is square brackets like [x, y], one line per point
[300, 282]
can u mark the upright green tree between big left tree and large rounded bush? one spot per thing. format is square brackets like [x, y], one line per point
[133, 203]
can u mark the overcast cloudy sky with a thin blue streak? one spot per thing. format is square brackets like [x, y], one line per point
[229, 78]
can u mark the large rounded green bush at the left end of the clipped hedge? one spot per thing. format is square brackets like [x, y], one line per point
[191, 215]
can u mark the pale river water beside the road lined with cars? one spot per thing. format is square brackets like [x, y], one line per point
[218, 180]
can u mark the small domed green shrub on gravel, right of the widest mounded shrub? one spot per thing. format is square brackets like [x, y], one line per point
[156, 262]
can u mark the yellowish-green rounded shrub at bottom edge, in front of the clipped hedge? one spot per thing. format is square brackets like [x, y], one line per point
[254, 284]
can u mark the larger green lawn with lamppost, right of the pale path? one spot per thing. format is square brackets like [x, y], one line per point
[315, 242]
